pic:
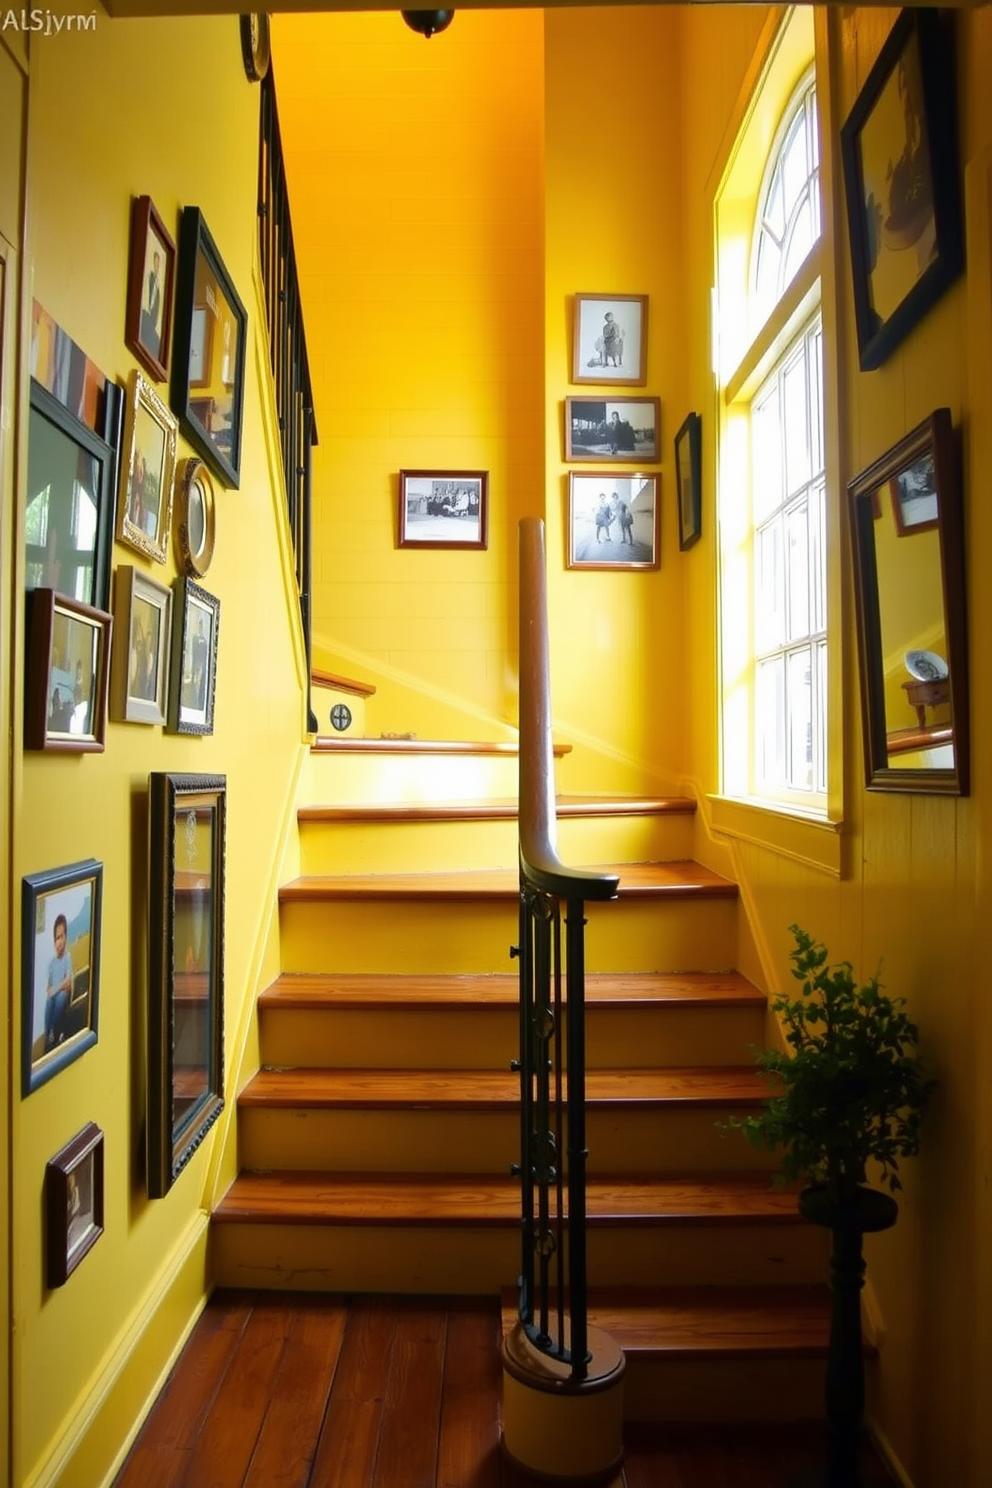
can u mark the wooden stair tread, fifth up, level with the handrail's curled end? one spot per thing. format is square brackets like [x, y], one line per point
[680, 879]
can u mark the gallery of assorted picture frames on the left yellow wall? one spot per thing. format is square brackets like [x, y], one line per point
[123, 629]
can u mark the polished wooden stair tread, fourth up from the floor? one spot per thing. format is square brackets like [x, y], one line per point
[328, 990]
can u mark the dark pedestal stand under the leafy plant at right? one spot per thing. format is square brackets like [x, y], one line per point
[868, 1212]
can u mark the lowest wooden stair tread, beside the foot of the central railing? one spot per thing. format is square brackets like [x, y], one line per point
[698, 1324]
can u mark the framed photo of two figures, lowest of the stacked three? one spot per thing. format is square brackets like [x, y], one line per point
[613, 522]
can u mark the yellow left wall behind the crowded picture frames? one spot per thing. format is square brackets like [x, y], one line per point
[157, 108]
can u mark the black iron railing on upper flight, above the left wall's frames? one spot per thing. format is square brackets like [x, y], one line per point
[288, 350]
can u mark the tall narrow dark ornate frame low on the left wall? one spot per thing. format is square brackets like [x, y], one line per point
[187, 969]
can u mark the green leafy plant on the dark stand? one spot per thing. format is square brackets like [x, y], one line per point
[851, 1088]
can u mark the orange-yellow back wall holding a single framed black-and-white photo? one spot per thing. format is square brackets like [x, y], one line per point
[417, 190]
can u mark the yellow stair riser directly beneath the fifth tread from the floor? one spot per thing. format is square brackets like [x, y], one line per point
[396, 937]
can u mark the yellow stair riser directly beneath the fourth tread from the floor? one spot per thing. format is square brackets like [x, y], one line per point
[487, 1039]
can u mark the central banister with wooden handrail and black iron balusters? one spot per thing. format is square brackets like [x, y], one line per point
[553, 1063]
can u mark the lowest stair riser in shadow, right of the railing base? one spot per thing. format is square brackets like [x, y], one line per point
[724, 1389]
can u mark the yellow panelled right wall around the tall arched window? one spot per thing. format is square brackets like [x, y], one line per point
[912, 891]
